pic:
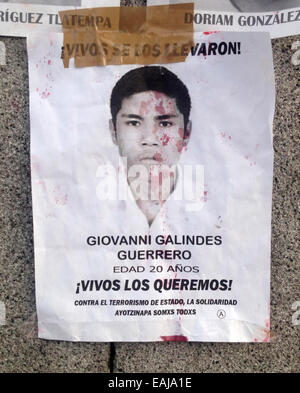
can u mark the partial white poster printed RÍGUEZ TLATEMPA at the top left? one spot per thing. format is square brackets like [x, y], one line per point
[19, 18]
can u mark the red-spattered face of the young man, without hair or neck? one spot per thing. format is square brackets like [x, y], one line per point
[150, 130]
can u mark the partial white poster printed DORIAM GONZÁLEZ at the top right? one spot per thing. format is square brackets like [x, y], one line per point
[280, 18]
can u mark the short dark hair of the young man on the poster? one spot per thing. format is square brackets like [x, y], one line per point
[155, 78]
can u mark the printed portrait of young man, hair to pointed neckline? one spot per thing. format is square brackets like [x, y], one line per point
[150, 124]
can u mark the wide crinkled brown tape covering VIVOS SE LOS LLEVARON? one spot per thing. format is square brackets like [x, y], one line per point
[127, 35]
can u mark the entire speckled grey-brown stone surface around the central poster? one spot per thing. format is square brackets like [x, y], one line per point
[20, 349]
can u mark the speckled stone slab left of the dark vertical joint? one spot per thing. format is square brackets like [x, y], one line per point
[20, 349]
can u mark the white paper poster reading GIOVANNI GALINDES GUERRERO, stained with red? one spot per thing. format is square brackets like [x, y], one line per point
[152, 191]
